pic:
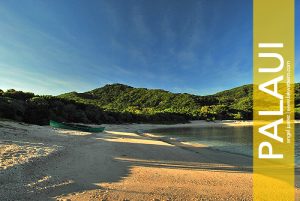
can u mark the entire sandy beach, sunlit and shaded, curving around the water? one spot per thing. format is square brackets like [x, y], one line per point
[122, 163]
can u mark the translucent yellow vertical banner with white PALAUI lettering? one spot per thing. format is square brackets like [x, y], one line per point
[273, 100]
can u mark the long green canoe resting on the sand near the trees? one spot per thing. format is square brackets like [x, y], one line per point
[79, 127]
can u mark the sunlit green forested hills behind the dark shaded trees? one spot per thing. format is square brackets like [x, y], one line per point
[231, 104]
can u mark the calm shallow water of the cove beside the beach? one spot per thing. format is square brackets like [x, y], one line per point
[230, 139]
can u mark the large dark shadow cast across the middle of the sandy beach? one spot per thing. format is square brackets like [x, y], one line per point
[90, 160]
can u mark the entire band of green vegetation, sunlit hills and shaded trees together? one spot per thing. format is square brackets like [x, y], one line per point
[119, 103]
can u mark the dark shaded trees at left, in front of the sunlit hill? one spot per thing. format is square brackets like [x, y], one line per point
[30, 108]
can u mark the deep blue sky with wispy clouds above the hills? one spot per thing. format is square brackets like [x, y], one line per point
[52, 47]
